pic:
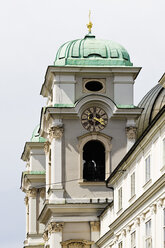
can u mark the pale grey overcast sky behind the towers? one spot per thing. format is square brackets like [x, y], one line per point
[31, 31]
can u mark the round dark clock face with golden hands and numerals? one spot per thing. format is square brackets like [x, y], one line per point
[94, 119]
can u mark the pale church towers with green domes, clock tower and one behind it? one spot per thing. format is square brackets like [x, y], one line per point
[86, 128]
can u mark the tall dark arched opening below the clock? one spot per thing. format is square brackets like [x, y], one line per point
[94, 161]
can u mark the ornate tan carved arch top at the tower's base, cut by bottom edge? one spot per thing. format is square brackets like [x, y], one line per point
[77, 243]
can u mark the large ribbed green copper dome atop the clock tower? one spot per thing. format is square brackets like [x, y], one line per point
[92, 52]
